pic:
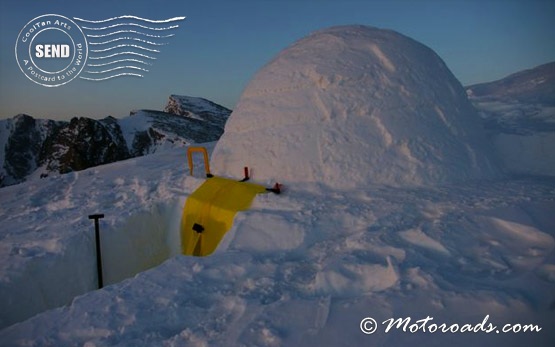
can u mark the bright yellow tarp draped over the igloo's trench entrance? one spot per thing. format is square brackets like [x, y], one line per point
[208, 213]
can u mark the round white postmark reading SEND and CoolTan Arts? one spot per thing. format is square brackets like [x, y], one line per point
[51, 50]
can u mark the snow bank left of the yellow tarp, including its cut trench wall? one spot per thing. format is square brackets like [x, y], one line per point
[47, 254]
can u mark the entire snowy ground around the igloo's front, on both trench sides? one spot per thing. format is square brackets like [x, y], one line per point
[299, 269]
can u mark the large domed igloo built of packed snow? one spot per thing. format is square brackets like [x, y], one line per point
[350, 106]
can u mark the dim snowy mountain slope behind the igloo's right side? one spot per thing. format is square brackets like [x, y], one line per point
[519, 114]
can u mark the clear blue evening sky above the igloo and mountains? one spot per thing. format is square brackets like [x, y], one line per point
[221, 44]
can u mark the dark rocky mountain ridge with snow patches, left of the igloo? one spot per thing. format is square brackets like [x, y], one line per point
[32, 147]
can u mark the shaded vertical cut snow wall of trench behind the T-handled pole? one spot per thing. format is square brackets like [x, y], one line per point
[129, 245]
